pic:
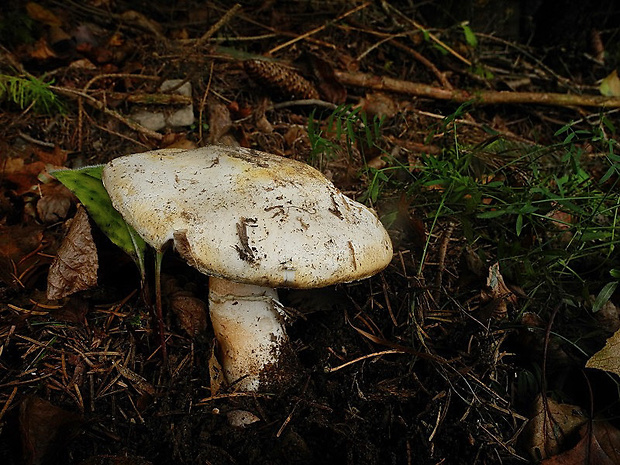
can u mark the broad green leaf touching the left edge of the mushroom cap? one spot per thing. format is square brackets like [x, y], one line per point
[86, 184]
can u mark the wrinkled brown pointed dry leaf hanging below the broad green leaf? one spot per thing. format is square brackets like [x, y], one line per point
[75, 266]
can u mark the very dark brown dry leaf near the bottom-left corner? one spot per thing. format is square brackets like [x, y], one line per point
[43, 427]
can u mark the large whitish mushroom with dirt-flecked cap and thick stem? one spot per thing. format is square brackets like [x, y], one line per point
[253, 222]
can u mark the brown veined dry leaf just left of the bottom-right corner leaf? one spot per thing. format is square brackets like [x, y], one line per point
[551, 423]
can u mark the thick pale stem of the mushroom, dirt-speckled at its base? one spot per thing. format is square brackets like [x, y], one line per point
[248, 328]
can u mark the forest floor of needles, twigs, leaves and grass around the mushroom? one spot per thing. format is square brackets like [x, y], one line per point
[491, 162]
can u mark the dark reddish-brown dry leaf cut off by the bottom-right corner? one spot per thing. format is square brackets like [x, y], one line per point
[599, 445]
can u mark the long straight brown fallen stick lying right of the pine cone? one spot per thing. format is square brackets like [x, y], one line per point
[478, 97]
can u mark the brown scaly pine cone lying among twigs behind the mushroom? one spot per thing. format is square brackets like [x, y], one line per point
[280, 79]
